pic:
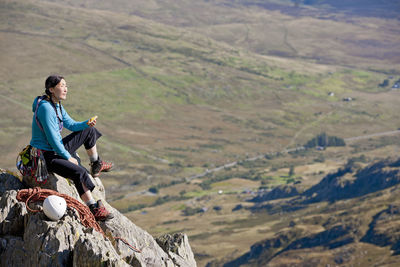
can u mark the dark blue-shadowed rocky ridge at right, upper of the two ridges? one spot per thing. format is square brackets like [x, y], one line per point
[348, 182]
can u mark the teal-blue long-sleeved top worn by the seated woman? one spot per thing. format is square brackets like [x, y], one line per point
[50, 138]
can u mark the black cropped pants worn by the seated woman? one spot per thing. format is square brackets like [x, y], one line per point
[67, 169]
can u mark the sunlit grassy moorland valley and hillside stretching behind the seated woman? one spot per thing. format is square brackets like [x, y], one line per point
[181, 88]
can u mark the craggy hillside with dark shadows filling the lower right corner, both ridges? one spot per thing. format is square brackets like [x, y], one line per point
[355, 225]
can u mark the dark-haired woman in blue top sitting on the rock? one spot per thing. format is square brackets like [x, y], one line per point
[48, 120]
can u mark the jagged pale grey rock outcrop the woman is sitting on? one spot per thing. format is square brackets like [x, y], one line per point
[30, 239]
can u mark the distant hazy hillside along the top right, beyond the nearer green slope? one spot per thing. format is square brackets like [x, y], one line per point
[328, 32]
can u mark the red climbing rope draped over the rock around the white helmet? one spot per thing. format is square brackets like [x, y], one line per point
[85, 215]
